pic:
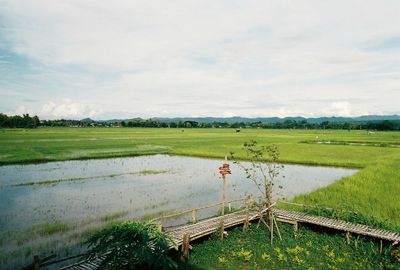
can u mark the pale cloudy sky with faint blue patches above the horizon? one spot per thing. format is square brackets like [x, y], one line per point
[123, 59]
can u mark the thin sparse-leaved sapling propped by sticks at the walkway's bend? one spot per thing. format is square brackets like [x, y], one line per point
[262, 171]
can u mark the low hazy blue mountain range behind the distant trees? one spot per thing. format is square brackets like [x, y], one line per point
[238, 119]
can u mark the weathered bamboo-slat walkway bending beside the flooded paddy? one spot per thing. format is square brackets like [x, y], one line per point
[209, 226]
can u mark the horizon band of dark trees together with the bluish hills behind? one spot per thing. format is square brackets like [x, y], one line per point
[382, 123]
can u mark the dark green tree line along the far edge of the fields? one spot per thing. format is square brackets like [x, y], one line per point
[26, 121]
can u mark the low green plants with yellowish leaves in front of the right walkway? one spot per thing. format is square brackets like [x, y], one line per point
[306, 250]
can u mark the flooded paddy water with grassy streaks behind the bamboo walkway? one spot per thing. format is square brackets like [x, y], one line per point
[52, 207]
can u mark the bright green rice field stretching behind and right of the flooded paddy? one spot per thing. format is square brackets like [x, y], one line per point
[373, 192]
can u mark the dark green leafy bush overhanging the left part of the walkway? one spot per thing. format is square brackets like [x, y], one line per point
[132, 245]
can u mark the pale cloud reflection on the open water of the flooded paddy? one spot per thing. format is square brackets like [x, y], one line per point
[192, 183]
